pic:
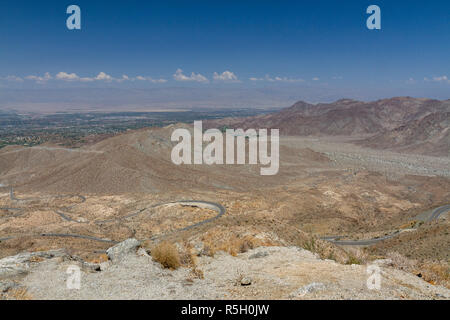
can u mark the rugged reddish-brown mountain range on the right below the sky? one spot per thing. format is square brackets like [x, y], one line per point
[403, 123]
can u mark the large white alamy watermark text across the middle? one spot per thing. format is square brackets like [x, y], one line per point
[213, 153]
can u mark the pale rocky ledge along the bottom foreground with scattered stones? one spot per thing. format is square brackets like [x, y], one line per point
[261, 273]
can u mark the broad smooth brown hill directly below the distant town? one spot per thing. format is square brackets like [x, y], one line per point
[138, 161]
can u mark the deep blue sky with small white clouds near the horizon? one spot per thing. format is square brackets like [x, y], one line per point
[234, 43]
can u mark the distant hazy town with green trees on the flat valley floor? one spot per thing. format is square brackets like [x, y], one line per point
[77, 129]
